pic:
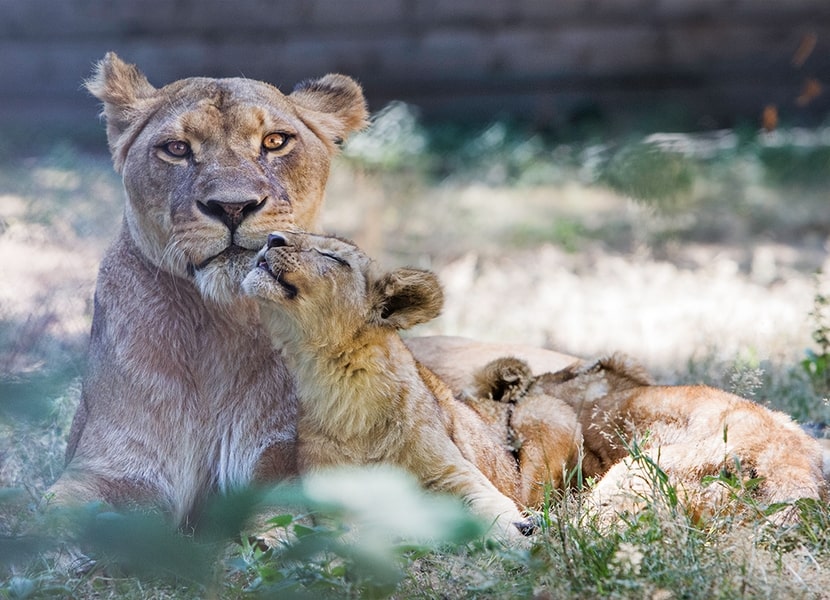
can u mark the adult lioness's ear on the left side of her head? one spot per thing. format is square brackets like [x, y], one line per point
[124, 90]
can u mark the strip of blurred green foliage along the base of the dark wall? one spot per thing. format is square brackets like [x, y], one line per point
[508, 152]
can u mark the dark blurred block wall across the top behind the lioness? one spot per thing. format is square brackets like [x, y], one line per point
[718, 61]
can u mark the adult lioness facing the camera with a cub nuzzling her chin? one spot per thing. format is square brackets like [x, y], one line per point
[183, 393]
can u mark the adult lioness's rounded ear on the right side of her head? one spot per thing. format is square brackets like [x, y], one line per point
[336, 106]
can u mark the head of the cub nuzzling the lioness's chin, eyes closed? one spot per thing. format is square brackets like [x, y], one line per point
[324, 290]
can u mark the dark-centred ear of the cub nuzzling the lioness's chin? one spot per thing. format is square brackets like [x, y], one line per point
[406, 297]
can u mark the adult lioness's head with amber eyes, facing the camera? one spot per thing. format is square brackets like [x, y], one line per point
[210, 166]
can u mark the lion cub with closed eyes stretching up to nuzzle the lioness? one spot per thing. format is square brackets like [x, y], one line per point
[363, 397]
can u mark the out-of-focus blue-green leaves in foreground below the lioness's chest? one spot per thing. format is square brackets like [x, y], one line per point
[348, 533]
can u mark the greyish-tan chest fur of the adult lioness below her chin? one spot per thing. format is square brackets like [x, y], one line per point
[208, 393]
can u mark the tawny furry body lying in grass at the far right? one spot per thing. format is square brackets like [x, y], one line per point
[691, 432]
